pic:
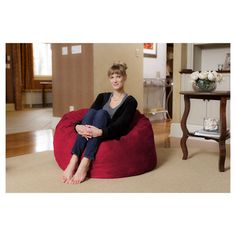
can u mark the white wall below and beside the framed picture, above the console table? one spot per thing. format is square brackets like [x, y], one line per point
[152, 65]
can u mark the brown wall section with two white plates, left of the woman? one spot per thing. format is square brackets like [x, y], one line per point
[72, 78]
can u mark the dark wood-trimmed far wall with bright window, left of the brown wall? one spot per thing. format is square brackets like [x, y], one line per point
[26, 87]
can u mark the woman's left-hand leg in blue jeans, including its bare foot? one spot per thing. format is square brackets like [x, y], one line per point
[78, 148]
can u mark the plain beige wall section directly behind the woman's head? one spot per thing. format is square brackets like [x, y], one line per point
[132, 55]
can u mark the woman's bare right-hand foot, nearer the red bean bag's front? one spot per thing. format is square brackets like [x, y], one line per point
[81, 173]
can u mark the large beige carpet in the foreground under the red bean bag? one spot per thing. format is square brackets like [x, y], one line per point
[39, 173]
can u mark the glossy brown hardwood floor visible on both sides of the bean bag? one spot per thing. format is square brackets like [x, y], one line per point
[42, 140]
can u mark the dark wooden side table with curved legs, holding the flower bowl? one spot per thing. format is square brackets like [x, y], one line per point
[223, 96]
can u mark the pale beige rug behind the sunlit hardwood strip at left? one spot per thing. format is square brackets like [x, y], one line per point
[28, 120]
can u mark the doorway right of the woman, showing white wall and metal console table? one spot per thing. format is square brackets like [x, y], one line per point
[158, 83]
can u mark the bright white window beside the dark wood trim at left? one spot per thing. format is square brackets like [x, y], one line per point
[42, 60]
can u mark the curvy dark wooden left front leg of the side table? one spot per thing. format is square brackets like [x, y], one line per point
[184, 128]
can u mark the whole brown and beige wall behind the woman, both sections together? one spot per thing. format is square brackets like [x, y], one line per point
[78, 78]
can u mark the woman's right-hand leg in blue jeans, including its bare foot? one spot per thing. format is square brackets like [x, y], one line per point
[101, 120]
